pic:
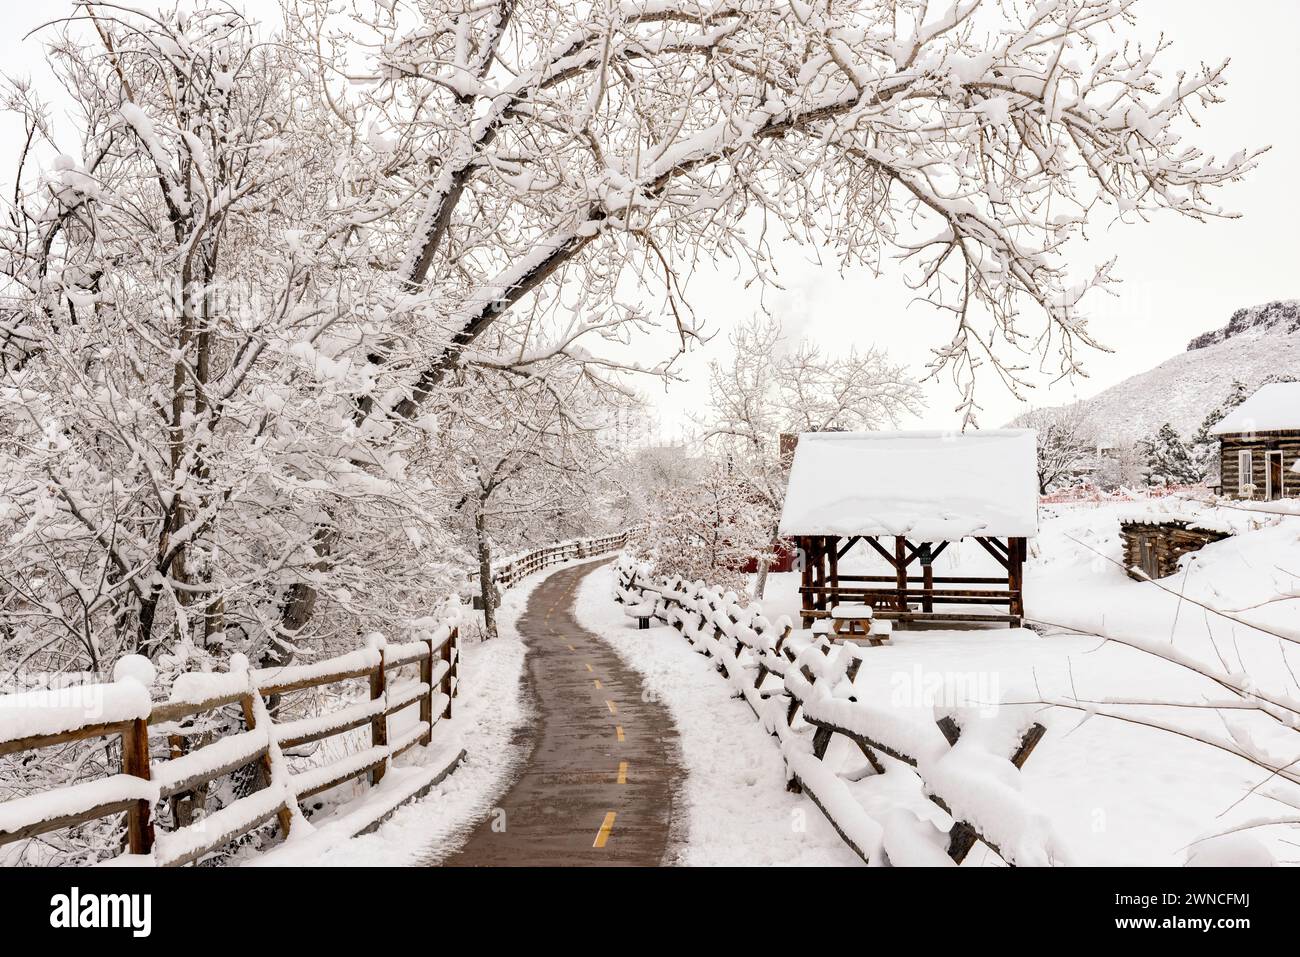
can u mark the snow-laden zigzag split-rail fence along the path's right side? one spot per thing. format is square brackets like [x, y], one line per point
[803, 690]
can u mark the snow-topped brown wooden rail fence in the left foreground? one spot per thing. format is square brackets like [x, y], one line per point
[124, 708]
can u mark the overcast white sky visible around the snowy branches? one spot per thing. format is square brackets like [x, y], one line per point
[1181, 278]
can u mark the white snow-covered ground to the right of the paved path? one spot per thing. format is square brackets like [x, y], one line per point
[1117, 794]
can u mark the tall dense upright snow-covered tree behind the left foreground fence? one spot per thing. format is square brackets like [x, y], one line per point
[181, 458]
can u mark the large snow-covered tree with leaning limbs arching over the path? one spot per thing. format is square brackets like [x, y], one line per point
[528, 159]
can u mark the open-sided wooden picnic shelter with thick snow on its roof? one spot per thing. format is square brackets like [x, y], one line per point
[908, 496]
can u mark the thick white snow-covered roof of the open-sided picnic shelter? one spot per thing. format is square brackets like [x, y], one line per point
[925, 486]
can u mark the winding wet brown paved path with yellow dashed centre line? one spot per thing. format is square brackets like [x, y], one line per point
[600, 783]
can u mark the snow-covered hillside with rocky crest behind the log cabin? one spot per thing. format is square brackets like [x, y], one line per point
[1185, 388]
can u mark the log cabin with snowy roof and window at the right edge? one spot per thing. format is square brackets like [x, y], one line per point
[1260, 445]
